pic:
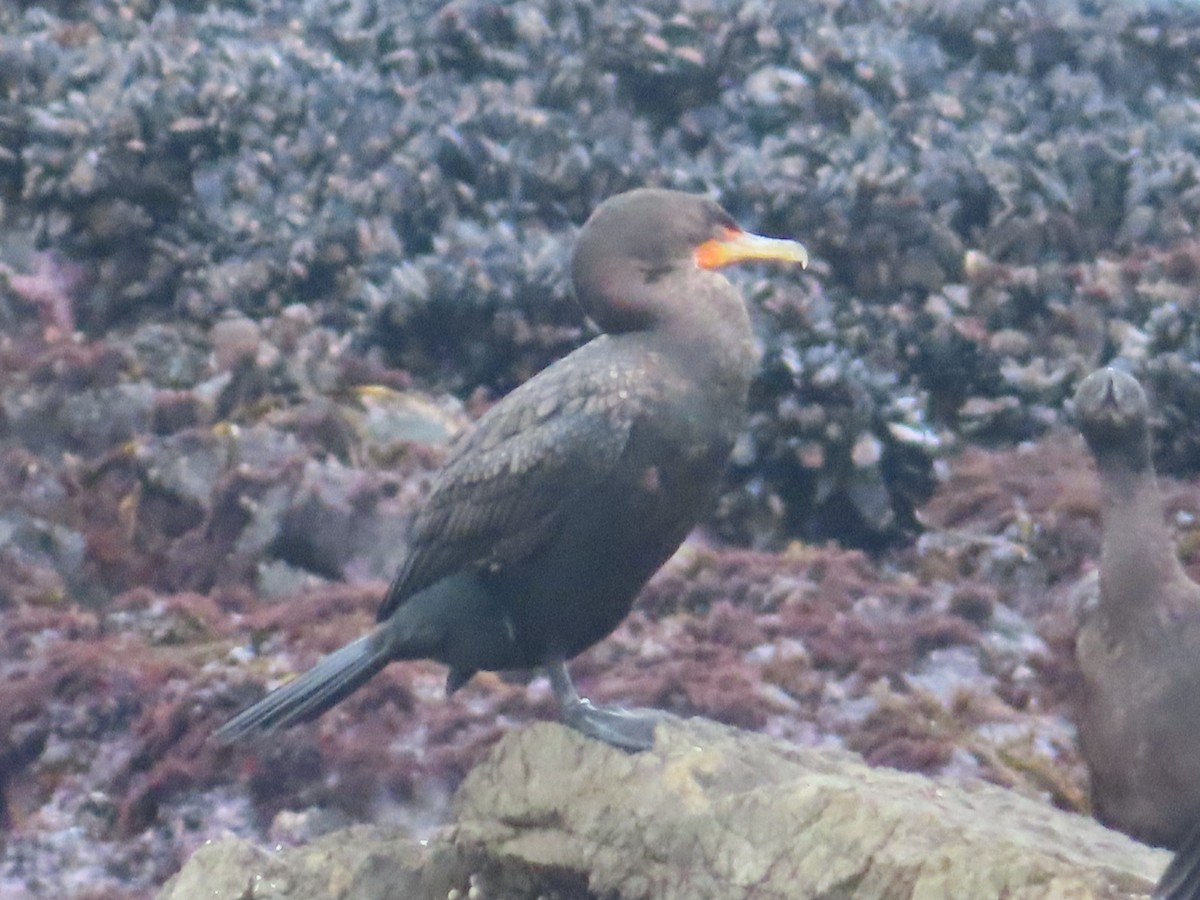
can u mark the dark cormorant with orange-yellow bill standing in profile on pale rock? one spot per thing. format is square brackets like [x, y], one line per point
[550, 515]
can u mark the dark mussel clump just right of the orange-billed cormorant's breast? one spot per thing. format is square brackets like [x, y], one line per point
[833, 449]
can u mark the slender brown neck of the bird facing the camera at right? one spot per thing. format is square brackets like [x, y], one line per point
[1138, 554]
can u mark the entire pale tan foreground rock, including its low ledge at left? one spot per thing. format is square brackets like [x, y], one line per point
[710, 813]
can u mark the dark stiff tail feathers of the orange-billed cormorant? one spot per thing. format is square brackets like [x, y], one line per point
[311, 694]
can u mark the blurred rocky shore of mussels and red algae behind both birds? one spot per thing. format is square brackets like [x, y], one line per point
[261, 261]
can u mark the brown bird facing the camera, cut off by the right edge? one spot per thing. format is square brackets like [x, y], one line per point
[1138, 639]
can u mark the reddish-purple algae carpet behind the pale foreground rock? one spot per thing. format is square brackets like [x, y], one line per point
[933, 671]
